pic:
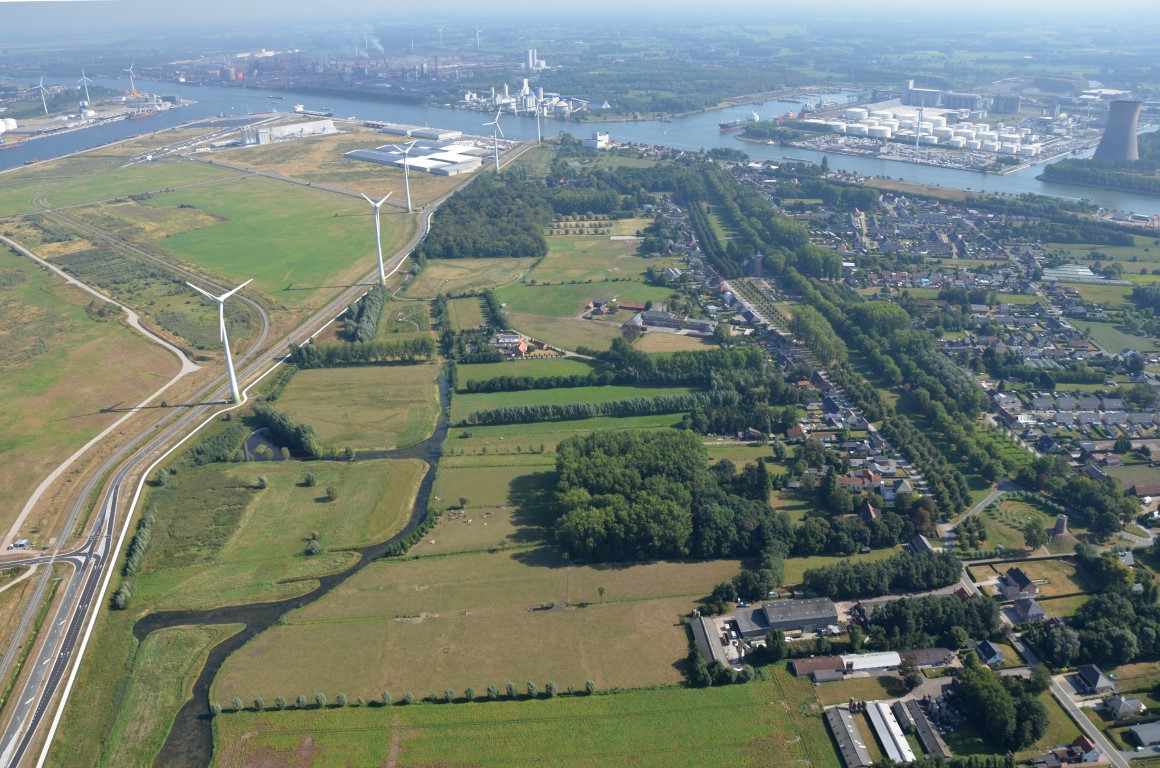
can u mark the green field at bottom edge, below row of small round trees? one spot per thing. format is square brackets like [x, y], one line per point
[670, 728]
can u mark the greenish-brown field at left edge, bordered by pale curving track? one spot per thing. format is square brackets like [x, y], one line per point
[60, 371]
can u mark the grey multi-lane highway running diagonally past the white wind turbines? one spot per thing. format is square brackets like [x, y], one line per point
[59, 657]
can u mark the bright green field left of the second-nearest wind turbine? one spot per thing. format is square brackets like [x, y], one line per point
[295, 242]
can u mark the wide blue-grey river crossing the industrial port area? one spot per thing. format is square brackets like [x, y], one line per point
[693, 133]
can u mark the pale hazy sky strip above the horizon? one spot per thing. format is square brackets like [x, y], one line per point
[77, 18]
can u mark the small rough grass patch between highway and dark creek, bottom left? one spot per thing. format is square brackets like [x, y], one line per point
[163, 679]
